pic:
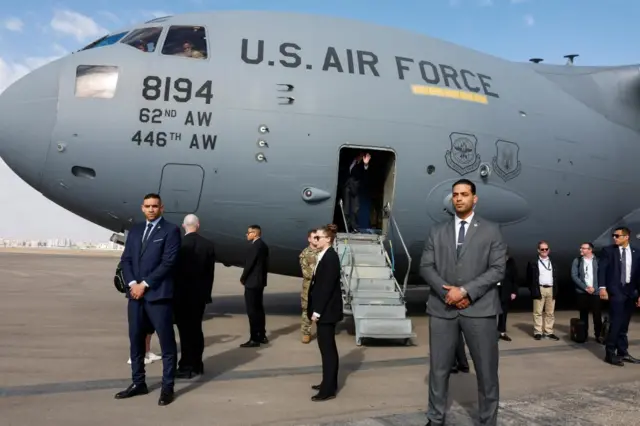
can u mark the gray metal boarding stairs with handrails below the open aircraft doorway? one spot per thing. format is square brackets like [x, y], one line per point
[371, 294]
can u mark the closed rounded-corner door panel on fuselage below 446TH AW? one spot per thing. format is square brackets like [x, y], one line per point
[181, 187]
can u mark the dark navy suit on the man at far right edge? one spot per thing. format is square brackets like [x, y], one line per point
[622, 297]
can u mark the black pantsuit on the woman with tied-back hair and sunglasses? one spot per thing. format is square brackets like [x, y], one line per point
[325, 299]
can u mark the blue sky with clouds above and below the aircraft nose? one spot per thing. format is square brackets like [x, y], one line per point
[34, 32]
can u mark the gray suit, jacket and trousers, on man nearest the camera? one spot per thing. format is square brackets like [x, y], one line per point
[478, 268]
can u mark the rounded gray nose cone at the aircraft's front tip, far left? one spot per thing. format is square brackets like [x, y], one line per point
[28, 110]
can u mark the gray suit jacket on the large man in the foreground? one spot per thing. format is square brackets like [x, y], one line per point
[478, 269]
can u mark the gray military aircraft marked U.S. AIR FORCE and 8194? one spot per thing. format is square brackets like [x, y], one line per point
[245, 117]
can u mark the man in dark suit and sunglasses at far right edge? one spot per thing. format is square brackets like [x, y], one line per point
[619, 280]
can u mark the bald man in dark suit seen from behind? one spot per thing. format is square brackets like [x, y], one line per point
[194, 282]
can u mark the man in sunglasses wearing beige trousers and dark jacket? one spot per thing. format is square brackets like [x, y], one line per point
[543, 283]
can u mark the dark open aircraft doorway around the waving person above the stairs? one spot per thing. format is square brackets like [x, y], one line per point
[375, 190]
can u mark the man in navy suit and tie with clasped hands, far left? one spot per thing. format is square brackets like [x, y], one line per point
[148, 260]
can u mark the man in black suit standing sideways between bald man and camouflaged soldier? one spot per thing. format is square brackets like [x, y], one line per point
[254, 280]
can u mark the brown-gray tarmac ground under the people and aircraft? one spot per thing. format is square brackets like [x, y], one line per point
[64, 349]
